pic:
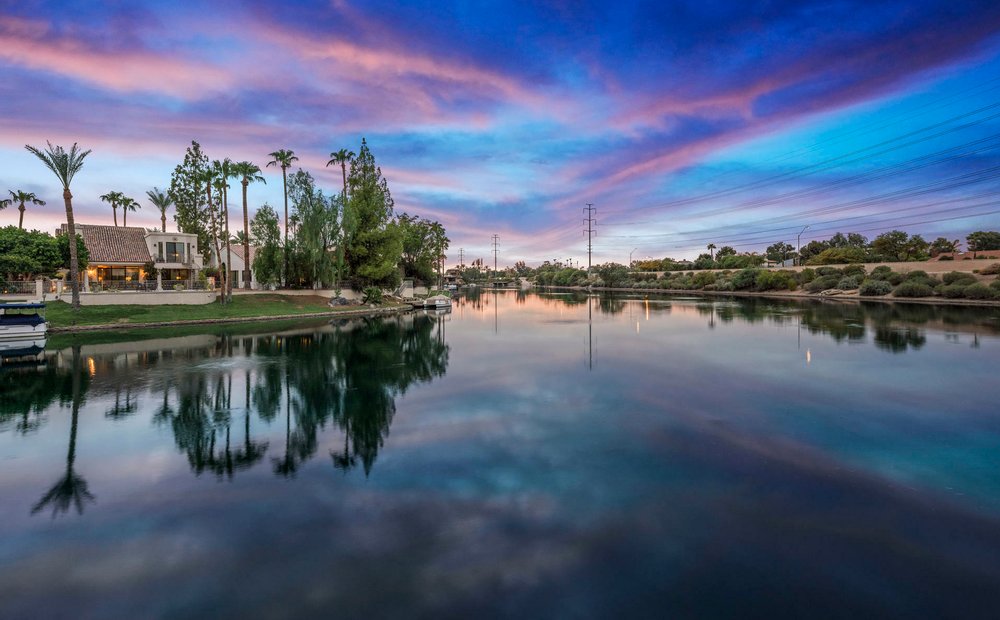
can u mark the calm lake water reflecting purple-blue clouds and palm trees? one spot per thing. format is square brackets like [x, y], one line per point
[524, 455]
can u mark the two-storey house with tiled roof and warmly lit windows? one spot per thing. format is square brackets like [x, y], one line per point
[120, 254]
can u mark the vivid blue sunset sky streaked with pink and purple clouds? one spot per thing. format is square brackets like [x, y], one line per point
[682, 123]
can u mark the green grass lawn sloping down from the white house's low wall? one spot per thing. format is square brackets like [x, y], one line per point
[59, 313]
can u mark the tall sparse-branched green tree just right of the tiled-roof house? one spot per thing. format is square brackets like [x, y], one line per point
[188, 193]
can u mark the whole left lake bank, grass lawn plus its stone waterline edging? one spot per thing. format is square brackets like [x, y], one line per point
[244, 308]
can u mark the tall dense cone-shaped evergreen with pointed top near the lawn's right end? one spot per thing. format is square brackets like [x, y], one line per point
[375, 244]
